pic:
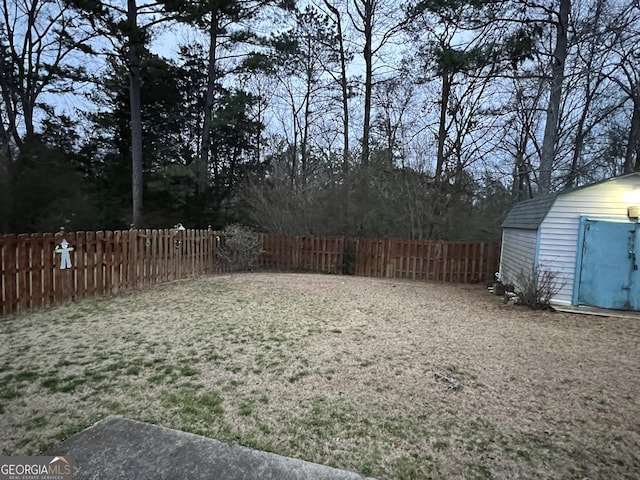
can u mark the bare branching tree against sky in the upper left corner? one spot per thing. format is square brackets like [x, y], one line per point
[39, 43]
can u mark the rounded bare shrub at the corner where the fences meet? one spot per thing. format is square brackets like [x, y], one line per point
[241, 248]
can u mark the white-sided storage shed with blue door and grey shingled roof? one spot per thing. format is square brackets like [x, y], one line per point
[587, 236]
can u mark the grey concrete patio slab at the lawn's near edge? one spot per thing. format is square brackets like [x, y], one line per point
[118, 447]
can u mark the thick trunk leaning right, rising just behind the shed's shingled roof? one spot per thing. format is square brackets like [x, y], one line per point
[552, 124]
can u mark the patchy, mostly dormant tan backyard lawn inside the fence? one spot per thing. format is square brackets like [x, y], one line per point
[336, 370]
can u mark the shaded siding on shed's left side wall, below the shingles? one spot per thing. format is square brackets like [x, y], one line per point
[518, 254]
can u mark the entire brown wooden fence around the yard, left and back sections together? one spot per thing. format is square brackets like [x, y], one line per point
[107, 262]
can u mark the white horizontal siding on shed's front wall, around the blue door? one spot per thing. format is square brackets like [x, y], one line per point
[560, 229]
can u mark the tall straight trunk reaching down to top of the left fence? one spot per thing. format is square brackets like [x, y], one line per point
[135, 86]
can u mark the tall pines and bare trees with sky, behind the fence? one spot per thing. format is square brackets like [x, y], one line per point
[424, 120]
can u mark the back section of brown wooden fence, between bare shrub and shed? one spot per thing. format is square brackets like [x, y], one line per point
[388, 258]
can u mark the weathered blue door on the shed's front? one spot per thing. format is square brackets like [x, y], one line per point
[609, 275]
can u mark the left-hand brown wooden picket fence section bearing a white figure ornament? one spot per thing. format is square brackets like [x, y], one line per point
[101, 263]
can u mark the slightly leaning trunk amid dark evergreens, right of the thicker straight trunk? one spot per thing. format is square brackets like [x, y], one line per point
[203, 167]
